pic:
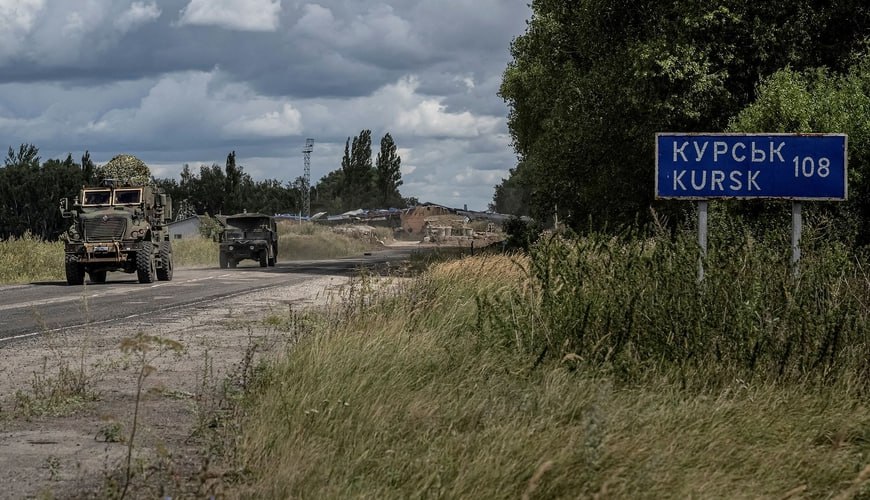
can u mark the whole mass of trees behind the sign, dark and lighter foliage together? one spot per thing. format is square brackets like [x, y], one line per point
[592, 81]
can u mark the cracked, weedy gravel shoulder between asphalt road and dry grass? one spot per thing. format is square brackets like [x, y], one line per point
[80, 452]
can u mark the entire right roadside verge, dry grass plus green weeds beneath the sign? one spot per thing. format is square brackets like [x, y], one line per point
[590, 368]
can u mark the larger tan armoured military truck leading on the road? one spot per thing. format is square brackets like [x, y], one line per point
[118, 228]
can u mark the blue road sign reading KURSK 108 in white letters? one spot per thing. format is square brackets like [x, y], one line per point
[787, 166]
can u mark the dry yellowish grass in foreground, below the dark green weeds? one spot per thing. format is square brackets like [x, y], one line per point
[409, 398]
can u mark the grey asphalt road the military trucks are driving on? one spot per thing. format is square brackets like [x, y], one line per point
[39, 308]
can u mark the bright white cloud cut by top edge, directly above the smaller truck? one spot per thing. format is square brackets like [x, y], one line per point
[241, 15]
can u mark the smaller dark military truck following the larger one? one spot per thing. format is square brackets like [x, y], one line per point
[248, 236]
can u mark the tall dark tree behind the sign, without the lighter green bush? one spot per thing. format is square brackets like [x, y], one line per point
[592, 81]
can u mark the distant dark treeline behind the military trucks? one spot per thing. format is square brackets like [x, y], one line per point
[30, 189]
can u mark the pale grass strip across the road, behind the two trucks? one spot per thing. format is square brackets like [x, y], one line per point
[29, 259]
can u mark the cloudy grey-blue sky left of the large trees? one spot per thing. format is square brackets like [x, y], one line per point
[188, 81]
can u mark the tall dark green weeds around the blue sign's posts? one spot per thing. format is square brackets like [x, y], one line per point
[635, 307]
